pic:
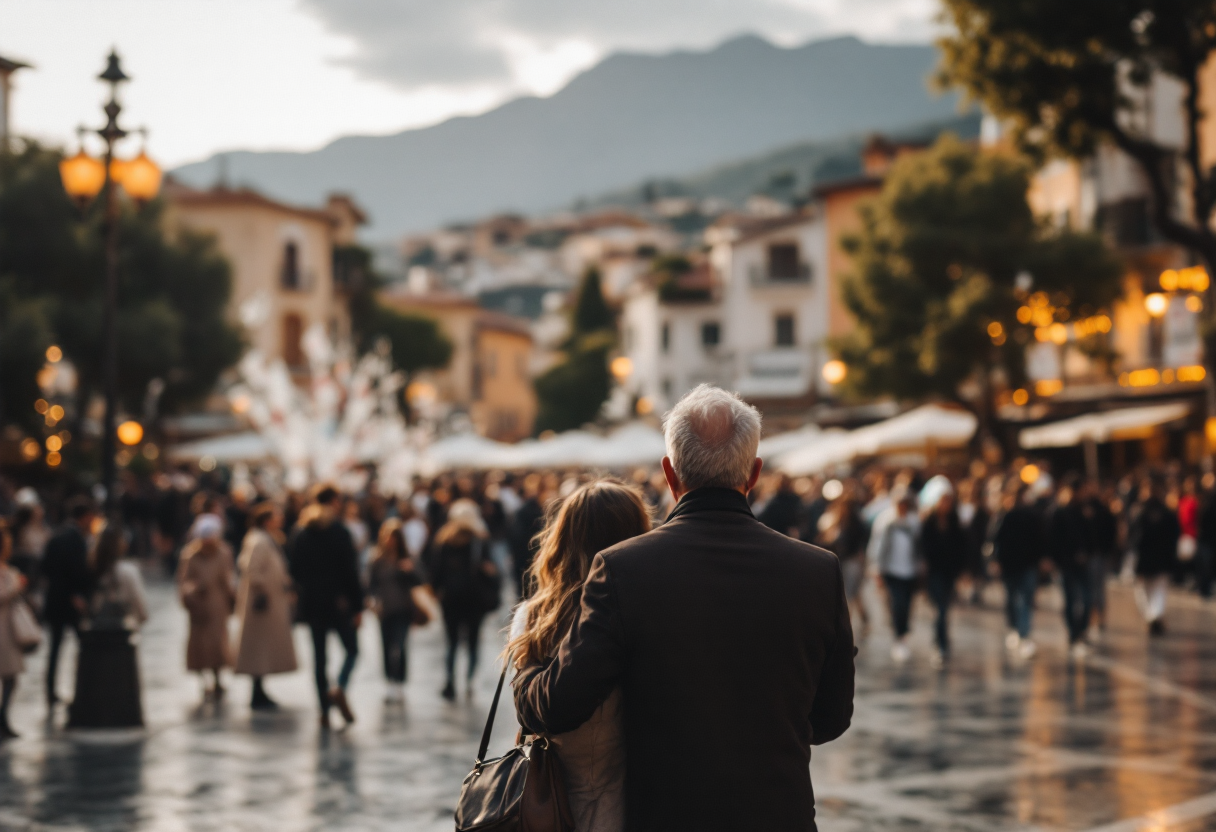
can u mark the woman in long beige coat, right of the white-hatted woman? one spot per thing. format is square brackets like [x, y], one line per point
[264, 605]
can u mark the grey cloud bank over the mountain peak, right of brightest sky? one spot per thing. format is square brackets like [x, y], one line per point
[537, 46]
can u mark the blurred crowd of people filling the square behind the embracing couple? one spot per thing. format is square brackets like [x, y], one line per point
[447, 550]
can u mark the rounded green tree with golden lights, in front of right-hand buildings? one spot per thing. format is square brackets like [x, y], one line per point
[936, 289]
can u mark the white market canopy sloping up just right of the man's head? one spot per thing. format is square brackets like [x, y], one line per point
[925, 428]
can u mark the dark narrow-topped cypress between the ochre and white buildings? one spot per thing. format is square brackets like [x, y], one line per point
[572, 392]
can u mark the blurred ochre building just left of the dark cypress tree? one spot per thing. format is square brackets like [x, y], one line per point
[488, 376]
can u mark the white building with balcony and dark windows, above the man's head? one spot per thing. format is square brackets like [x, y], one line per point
[753, 318]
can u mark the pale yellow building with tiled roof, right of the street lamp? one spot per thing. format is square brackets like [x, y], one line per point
[282, 258]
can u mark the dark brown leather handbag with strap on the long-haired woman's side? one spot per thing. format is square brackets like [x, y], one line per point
[521, 791]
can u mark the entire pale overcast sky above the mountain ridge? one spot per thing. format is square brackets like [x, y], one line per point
[223, 75]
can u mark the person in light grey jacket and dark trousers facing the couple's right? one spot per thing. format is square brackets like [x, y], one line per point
[894, 553]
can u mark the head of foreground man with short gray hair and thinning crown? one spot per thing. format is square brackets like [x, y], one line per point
[712, 439]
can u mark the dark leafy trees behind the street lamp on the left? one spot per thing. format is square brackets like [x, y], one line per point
[173, 296]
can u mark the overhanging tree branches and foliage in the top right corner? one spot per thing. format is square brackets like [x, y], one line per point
[1071, 76]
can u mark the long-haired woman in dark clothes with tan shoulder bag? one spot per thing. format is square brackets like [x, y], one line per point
[393, 577]
